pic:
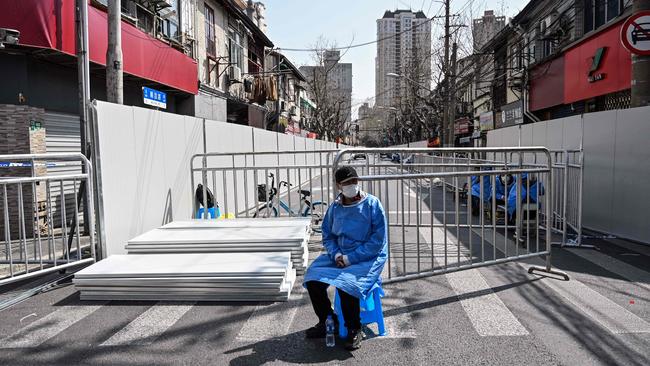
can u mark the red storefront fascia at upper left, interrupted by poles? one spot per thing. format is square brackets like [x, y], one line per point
[50, 24]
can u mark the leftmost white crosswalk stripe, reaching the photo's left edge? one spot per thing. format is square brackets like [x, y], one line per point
[39, 331]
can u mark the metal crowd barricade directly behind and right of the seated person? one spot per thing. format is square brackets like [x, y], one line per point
[434, 229]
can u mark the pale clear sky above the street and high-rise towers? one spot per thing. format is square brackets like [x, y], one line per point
[300, 23]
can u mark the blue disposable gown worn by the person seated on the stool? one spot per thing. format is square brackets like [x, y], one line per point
[360, 232]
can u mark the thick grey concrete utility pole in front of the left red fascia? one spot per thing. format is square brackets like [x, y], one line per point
[114, 76]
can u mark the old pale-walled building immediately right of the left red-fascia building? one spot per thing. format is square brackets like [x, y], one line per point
[230, 52]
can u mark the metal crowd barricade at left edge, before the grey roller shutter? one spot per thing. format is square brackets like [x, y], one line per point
[38, 235]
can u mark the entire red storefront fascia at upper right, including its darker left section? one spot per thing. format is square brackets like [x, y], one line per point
[589, 74]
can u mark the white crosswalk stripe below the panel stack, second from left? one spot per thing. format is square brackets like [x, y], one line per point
[147, 327]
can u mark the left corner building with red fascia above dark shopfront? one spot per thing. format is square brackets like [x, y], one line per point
[40, 72]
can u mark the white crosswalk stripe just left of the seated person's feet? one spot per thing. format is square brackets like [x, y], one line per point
[274, 320]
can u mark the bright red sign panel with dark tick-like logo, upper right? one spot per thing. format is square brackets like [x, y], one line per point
[598, 66]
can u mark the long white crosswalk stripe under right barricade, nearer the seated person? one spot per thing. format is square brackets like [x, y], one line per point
[488, 314]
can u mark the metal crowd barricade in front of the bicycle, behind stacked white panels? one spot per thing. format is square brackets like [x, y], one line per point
[265, 184]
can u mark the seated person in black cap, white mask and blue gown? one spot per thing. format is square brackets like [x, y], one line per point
[355, 240]
